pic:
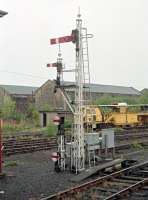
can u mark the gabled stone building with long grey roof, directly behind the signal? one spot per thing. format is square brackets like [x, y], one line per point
[50, 103]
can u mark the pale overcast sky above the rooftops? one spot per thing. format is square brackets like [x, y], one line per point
[118, 51]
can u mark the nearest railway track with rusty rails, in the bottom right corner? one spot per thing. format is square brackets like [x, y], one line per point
[130, 183]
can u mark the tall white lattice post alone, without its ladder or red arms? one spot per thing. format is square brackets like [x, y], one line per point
[78, 154]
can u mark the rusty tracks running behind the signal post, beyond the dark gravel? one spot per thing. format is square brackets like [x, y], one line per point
[18, 146]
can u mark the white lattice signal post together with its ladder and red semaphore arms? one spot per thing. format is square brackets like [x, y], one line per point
[82, 85]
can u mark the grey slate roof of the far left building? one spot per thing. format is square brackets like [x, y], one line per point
[19, 90]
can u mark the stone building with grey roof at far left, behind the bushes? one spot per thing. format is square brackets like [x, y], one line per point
[22, 95]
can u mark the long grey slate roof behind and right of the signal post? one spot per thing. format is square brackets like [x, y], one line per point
[111, 89]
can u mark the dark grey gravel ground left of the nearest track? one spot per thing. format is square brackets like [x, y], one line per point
[33, 177]
